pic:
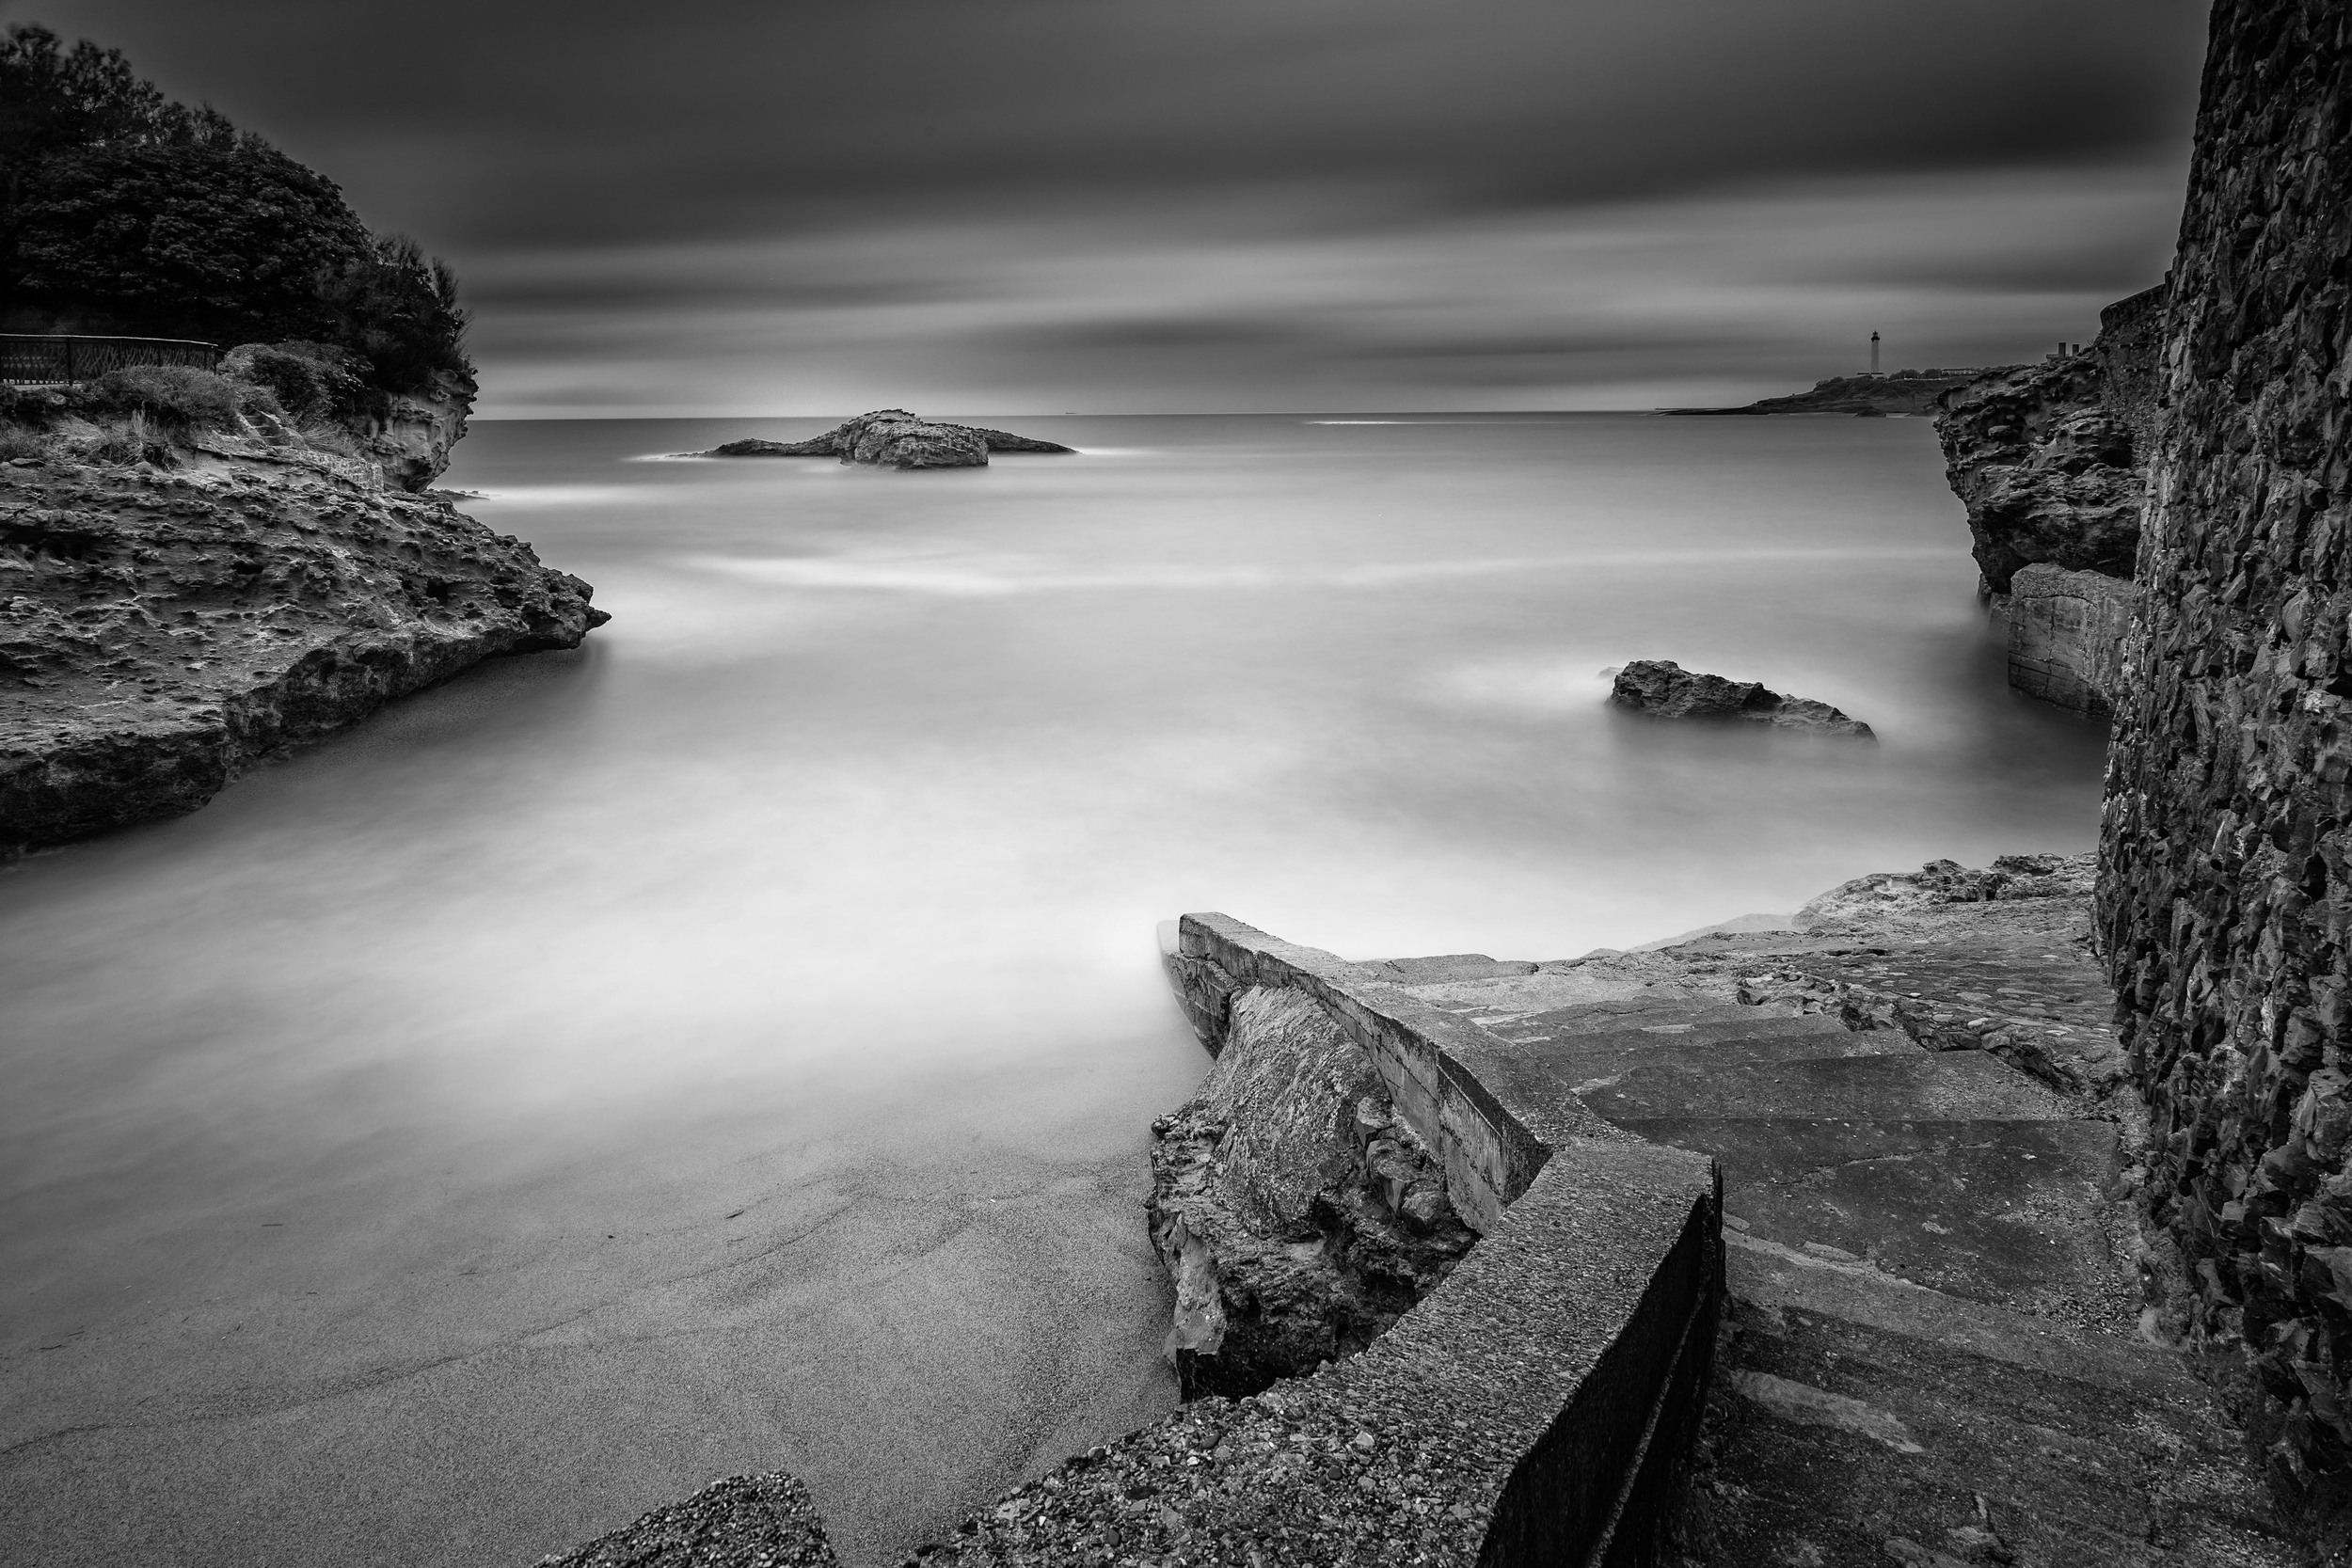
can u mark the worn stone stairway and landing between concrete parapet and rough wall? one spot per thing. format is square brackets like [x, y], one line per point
[1930, 1355]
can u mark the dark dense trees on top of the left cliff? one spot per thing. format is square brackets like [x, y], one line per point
[128, 213]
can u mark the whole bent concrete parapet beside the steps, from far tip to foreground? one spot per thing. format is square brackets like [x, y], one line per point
[1535, 1409]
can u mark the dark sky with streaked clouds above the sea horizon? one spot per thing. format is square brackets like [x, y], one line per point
[730, 208]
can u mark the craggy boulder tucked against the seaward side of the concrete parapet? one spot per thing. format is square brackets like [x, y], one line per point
[1297, 1214]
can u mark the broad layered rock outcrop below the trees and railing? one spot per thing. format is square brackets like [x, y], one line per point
[161, 631]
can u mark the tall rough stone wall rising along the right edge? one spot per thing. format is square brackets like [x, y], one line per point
[2226, 890]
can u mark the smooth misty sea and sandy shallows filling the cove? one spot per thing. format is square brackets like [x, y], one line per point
[735, 1045]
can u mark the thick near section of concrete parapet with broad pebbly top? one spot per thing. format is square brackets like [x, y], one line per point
[1535, 1409]
